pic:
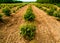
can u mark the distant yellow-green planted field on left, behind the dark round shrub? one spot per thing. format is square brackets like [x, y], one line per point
[12, 7]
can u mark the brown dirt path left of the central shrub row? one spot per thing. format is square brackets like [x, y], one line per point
[9, 33]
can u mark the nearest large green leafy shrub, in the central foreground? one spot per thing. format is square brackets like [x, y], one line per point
[28, 31]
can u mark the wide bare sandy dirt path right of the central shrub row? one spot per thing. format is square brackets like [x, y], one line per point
[48, 29]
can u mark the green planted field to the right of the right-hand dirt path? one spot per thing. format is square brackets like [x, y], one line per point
[51, 9]
